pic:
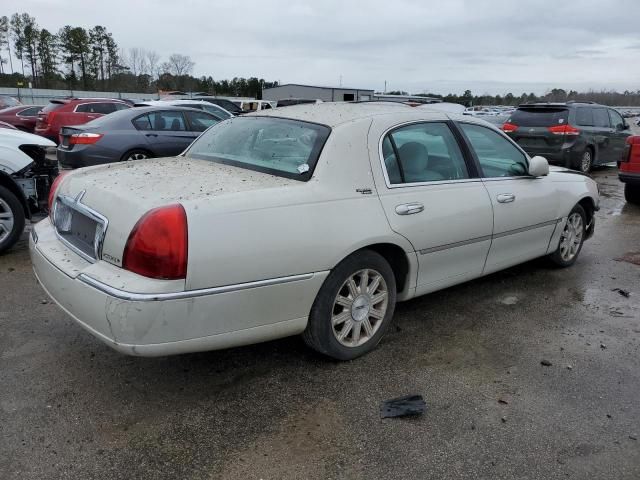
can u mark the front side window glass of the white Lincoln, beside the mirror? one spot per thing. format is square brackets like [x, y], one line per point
[498, 157]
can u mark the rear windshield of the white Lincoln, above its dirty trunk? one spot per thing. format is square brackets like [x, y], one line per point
[287, 148]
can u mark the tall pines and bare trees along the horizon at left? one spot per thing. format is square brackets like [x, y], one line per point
[89, 59]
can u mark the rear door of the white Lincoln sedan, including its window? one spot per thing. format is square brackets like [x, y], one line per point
[434, 198]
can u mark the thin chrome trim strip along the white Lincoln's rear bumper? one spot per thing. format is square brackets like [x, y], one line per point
[154, 297]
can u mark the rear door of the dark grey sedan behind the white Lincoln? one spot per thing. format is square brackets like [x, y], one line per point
[167, 132]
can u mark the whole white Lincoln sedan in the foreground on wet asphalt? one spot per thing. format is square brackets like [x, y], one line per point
[313, 220]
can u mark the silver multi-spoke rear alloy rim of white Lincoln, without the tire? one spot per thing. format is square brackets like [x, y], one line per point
[359, 308]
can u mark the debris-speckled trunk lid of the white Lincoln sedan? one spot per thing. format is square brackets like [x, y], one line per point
[96, 208]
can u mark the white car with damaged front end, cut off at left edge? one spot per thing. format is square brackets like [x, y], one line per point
[25, 179]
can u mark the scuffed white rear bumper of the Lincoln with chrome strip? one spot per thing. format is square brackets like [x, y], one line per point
[145, 322]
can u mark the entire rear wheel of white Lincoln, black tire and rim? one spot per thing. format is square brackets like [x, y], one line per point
[353, 308]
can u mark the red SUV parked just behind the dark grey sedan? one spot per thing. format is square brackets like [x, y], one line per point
[73, 111]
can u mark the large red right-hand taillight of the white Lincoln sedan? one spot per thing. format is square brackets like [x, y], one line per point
[158, 245]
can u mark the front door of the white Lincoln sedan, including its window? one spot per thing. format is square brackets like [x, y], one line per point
[524, 208]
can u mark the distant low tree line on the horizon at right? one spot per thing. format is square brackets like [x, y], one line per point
[604, 97]
